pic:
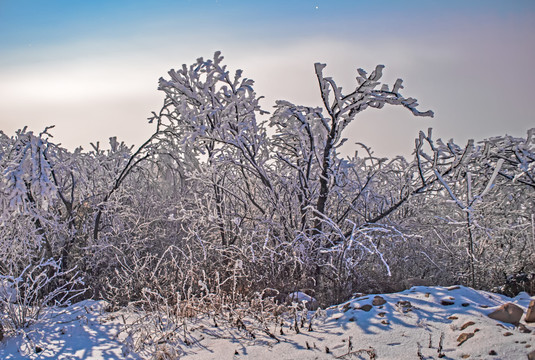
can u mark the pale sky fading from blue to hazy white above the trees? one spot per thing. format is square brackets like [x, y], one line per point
[91, 68]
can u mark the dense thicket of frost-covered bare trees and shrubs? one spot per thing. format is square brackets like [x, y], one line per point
[224, 203]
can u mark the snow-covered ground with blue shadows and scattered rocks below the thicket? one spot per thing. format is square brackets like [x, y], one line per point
[419, 323]
